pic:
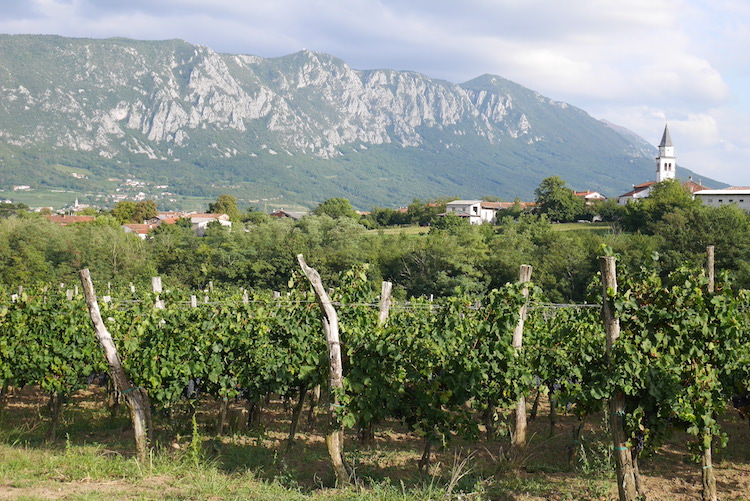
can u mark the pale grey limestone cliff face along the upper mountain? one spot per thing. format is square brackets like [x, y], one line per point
[312, 103]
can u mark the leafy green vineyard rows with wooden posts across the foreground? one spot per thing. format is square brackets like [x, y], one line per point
[672, 357]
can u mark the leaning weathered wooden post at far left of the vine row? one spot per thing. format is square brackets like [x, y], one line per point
[136, 398]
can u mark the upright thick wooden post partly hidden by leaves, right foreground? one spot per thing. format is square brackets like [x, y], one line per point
[626, 485]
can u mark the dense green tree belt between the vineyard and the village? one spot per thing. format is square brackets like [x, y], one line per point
[259, 252]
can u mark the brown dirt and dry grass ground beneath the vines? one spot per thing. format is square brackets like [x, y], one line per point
[542, 474]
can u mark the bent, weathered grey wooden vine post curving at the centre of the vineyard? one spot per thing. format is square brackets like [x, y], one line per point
[335, 432]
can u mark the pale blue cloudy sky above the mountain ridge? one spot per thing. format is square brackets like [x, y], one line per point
[636, 63]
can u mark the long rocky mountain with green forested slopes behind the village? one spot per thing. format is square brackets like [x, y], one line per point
[79, 114]
